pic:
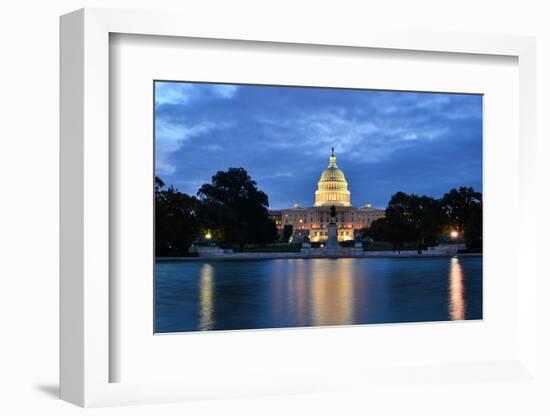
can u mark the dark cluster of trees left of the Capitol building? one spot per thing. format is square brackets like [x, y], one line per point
[230, 210]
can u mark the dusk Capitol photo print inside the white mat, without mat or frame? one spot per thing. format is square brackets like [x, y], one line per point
[255, 221]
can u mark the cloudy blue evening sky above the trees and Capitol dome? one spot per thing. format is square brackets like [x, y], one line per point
[385, 142]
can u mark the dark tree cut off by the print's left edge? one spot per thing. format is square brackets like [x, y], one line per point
[176, 224]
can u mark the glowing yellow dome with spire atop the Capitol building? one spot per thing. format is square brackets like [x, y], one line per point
[332, 188]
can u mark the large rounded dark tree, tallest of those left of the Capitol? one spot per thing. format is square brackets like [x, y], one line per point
[236, 209]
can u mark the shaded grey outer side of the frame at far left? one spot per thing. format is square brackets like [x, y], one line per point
[72, 208]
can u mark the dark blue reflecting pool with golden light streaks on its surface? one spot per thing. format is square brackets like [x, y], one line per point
[226, 295]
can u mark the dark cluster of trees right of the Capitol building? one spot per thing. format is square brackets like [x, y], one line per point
[424, 221]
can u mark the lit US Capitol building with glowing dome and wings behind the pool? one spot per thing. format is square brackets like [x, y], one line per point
[312, 222]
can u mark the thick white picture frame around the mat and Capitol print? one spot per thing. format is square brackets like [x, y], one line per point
[85, 204]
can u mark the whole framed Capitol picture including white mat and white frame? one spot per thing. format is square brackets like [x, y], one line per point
[266, 212]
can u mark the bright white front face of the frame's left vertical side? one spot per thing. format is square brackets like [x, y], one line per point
[95, 195]
